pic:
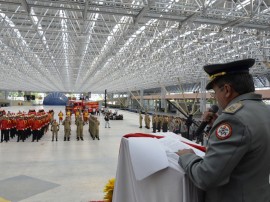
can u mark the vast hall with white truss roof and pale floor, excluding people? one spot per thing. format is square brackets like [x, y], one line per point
[135, 53]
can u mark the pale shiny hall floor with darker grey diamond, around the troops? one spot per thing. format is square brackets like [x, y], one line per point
[74, 171]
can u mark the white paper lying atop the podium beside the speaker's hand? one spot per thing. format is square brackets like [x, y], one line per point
[173, 145]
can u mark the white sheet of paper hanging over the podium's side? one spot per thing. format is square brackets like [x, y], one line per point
[147, 156]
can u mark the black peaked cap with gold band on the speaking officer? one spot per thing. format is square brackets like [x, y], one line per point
[218, 70]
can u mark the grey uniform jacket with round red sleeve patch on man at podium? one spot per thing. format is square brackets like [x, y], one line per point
[236, 166]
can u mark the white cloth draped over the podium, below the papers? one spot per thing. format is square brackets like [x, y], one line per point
[167, 185]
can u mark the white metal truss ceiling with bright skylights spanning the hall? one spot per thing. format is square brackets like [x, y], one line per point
[125, 45]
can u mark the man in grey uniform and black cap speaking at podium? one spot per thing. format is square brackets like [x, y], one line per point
[236, 164]
